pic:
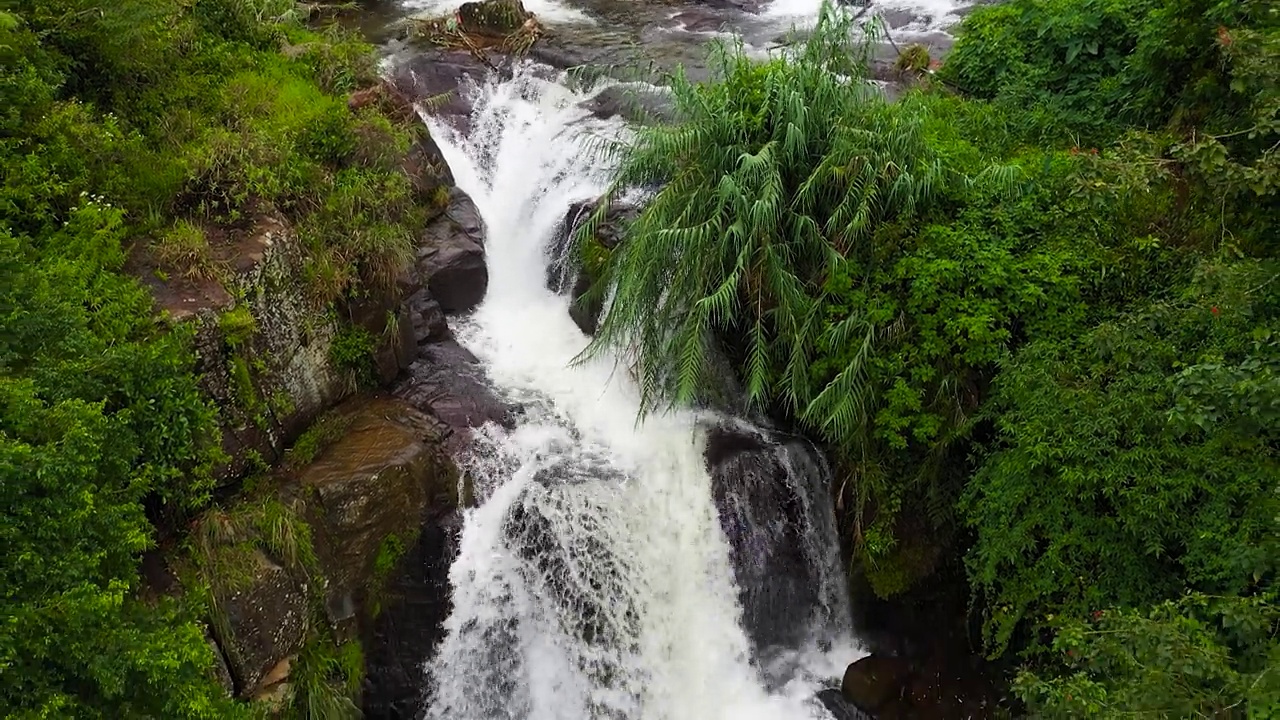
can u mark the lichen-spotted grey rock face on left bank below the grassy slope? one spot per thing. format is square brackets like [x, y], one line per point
[263, 348]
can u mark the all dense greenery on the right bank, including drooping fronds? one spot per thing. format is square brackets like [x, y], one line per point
[1034, 311]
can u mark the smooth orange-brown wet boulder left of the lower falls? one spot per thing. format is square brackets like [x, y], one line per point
[373, 484]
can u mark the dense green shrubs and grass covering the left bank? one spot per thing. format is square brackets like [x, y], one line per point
[143, 131]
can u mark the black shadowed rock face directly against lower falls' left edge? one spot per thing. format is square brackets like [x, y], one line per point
[409, 623]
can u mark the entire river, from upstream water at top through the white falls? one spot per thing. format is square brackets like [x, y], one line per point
[596, 576]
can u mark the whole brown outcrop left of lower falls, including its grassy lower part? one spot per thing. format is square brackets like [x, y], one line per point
[364, 514]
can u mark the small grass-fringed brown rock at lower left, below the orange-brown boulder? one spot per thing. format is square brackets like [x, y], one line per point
[266, 621]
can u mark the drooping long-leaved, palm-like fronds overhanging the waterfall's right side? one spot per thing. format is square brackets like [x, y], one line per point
[774, 175]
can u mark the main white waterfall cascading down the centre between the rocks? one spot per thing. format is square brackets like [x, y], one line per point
[593, 580]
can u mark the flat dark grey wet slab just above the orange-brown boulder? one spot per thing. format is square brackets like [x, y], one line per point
[447, 382]
